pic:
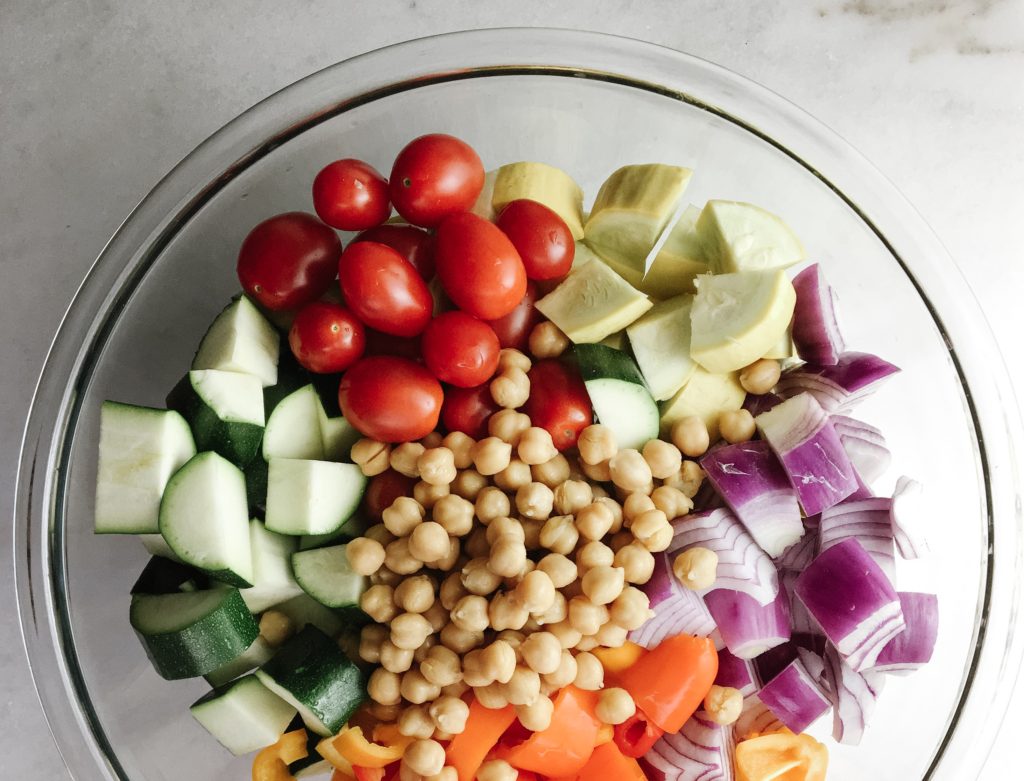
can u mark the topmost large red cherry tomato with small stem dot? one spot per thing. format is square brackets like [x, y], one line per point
[435, 177]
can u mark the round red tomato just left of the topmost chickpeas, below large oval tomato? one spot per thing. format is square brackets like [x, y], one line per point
[460, 350]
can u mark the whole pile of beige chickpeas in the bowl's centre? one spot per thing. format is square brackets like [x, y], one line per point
[511, 563]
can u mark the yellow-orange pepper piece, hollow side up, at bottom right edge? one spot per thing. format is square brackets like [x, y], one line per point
[782, 757]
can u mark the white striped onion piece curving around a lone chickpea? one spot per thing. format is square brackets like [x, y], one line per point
[742, 566]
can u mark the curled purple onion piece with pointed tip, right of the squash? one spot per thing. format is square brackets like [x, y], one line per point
[839, 388]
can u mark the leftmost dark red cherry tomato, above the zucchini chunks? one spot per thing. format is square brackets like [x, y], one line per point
[289, 261]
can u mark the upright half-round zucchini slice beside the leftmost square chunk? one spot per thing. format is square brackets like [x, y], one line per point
[204, 517]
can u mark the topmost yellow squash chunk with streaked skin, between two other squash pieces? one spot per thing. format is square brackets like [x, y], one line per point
[632, 209]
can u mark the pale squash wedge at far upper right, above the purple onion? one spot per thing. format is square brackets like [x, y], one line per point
[738, 237]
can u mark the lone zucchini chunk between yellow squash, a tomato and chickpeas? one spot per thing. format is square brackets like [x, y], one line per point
[618, 393]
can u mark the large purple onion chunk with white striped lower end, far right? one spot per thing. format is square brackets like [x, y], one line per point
[854, 601]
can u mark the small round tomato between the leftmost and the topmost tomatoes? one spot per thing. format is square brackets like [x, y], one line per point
[351, 195]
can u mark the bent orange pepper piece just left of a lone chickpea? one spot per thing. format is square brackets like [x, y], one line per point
[567, 746]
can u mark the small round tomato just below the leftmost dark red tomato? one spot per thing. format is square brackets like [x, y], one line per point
[326, 338]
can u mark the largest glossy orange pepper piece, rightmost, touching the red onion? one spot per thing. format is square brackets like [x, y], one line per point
[670, 682]
